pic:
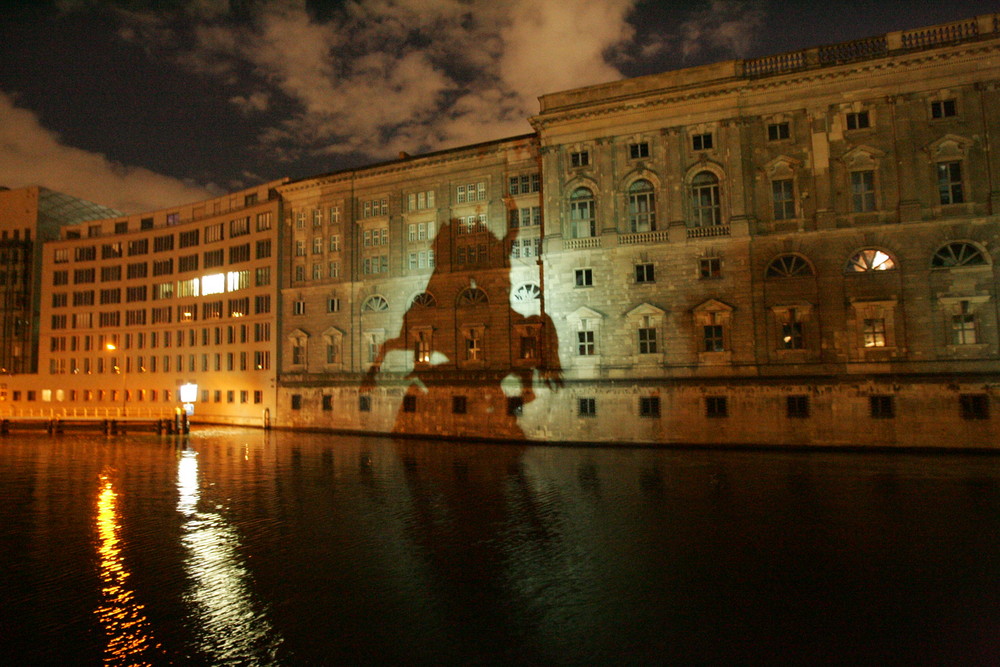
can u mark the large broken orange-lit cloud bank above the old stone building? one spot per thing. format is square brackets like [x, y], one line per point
[374, 77]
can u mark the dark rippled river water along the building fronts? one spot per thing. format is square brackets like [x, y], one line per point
[245, 547]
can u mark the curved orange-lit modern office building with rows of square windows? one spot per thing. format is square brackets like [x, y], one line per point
[136, 306]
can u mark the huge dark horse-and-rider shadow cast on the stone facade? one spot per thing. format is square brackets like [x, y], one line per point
[470, 361]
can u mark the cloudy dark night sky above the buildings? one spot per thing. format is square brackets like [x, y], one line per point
[142, 105]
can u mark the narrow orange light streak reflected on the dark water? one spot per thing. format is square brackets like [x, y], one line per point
[129, 636]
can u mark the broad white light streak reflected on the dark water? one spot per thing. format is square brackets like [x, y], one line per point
[230, 625]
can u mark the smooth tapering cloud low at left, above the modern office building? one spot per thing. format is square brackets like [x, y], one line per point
[33, 155]
